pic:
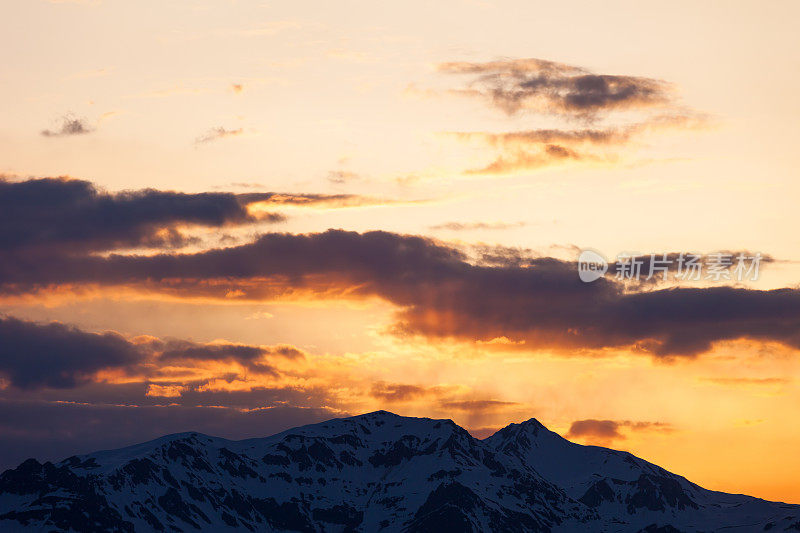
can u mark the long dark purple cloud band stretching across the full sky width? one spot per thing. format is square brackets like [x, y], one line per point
[440, 293]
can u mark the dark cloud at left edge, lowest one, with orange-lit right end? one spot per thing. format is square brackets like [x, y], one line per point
[34, 356]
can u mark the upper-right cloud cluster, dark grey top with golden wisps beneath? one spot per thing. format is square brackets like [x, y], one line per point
[567, 93]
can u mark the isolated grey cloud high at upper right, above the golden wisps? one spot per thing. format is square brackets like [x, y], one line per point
[550, 87]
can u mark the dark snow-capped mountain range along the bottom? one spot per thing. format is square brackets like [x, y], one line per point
[374, 472]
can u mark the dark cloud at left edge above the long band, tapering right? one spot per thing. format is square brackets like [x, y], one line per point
[50, 214]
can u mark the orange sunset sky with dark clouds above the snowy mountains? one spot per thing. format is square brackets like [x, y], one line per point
[240, 216]
